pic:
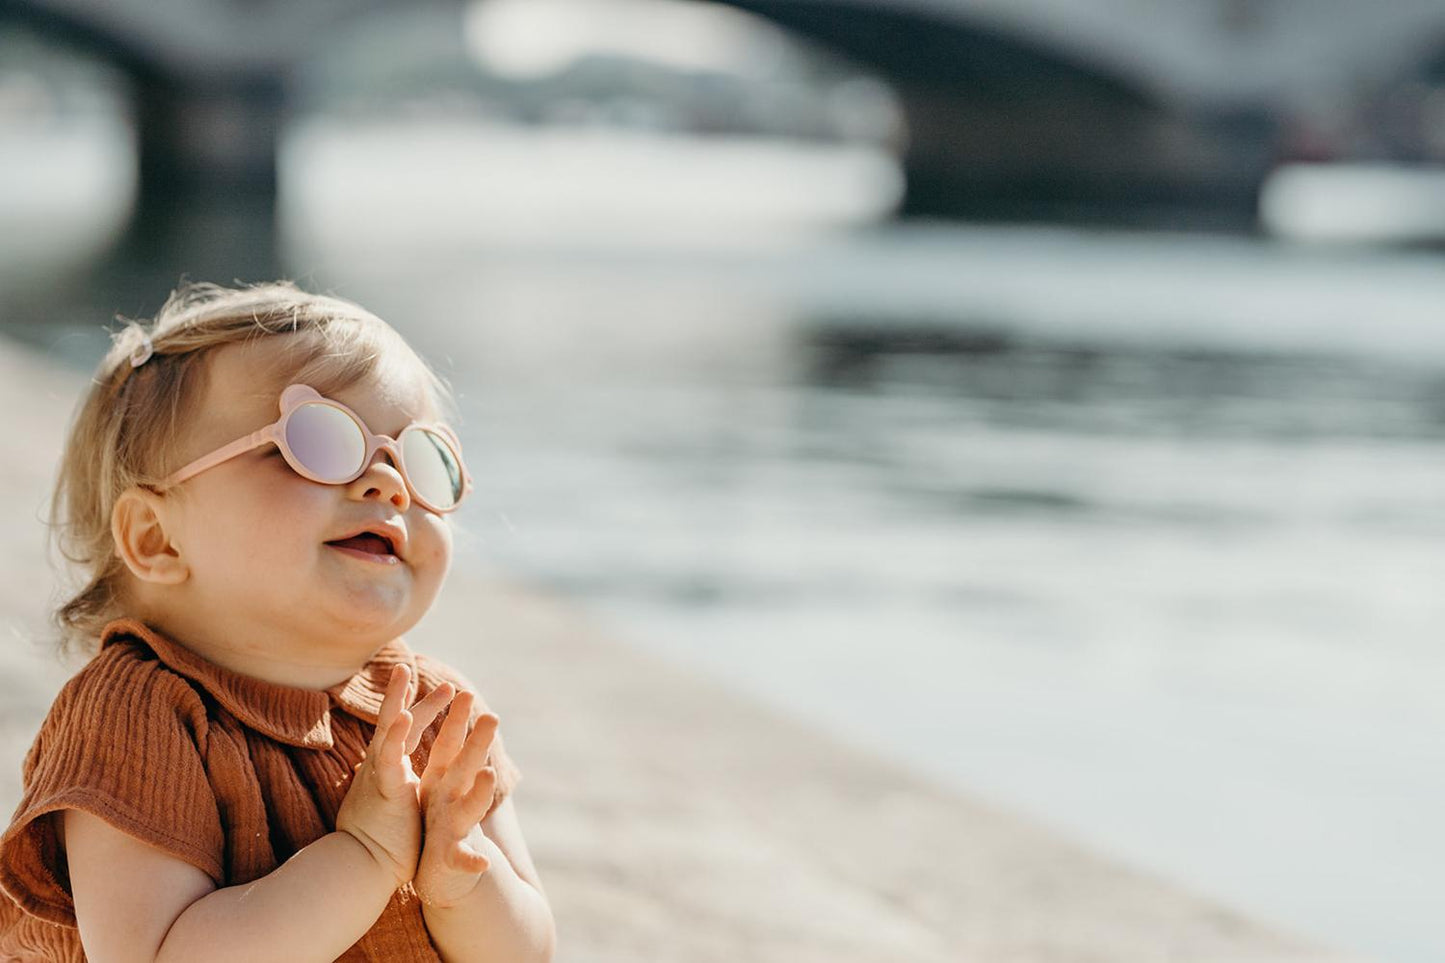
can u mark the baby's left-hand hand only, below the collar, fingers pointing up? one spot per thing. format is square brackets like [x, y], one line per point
[382, 806]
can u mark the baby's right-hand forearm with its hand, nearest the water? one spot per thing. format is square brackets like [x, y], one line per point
[480, 893]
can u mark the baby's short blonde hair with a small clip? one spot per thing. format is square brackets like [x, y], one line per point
[128, 426]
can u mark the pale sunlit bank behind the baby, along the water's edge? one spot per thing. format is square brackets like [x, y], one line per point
[680, 822]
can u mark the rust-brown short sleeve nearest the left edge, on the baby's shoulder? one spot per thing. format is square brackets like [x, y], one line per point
[124, 741]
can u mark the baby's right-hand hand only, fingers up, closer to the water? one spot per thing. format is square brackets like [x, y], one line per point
[457, 790]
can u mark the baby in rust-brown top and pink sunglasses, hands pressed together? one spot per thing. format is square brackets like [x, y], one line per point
[254, 766]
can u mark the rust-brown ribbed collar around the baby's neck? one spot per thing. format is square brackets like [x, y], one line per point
[296, 716]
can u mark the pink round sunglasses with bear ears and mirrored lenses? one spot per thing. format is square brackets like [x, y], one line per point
[326, 442]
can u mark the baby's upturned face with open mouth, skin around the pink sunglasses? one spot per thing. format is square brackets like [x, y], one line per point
[255, 534]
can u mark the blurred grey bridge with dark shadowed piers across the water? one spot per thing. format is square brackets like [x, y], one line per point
[1037, 109]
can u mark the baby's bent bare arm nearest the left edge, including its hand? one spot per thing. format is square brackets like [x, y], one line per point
[135, 903]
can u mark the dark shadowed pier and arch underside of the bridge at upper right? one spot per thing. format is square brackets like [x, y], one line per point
[1005, 128]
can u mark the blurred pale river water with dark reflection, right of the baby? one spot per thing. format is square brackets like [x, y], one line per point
[1135, 534]
